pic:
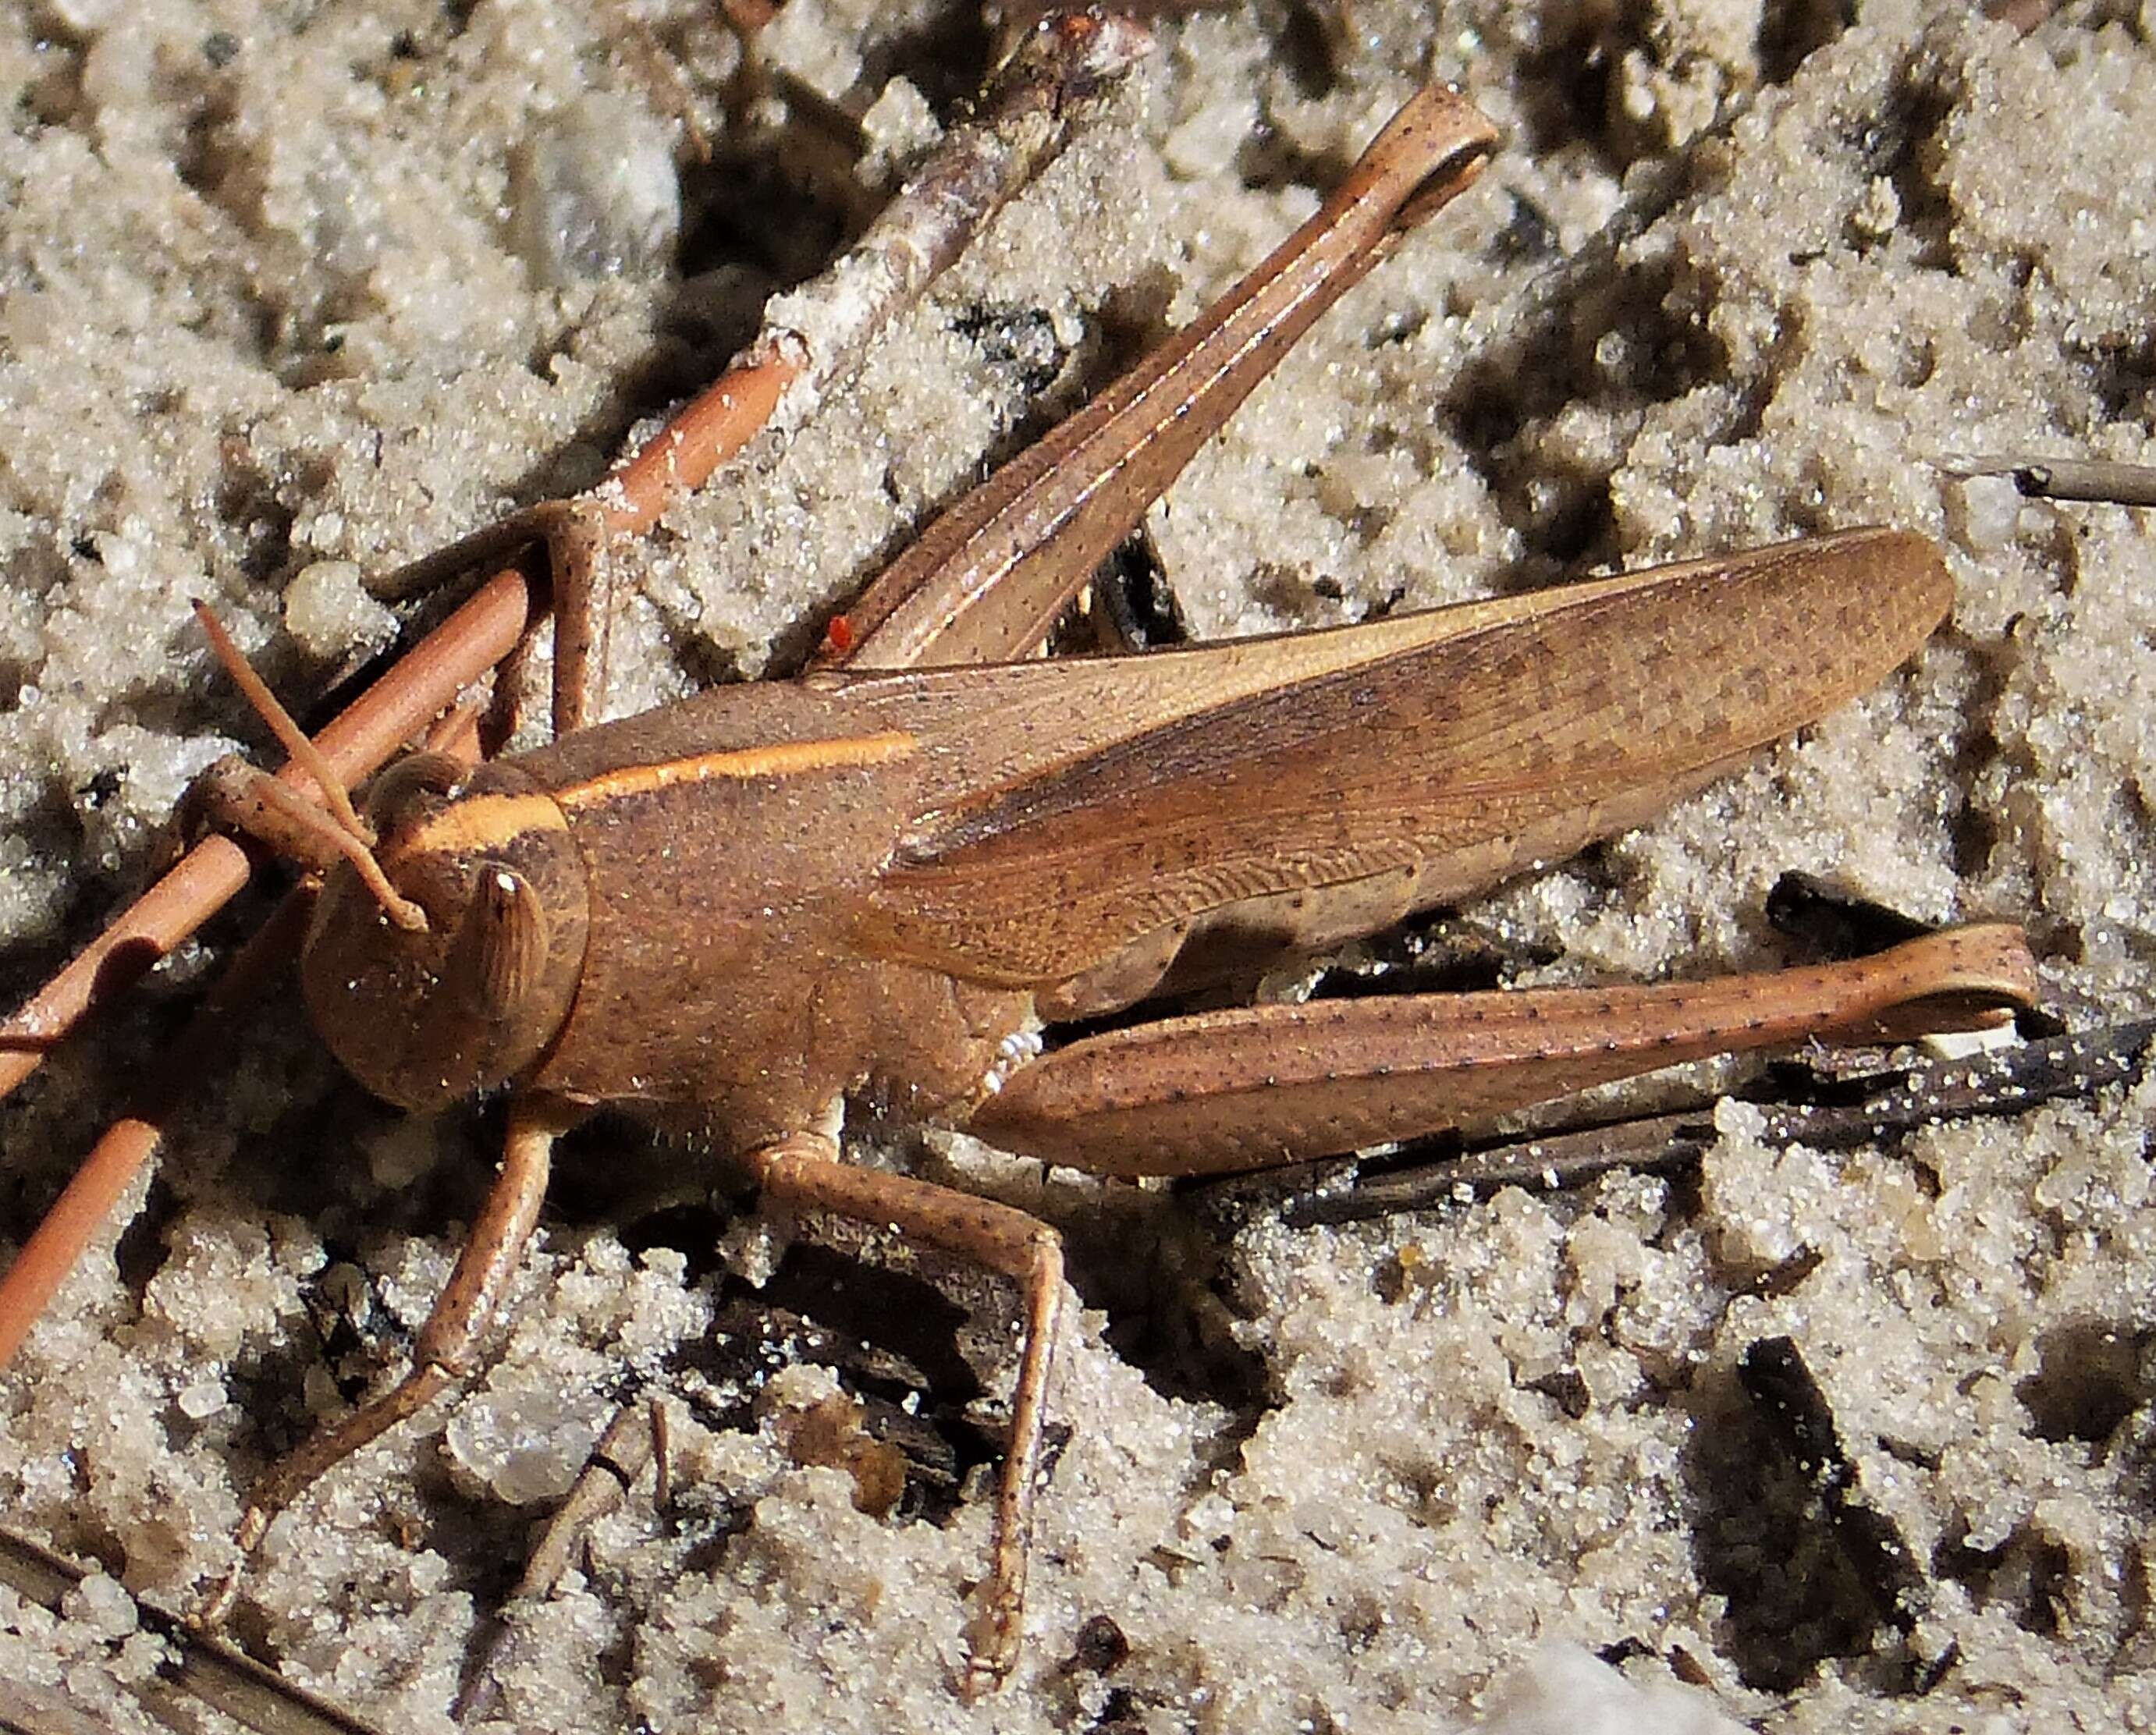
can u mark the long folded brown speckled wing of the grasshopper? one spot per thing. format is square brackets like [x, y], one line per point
[1081, 807]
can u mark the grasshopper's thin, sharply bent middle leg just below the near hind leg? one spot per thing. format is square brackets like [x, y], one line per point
[807, 1176]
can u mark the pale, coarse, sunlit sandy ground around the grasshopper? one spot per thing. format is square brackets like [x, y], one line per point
[296, 286]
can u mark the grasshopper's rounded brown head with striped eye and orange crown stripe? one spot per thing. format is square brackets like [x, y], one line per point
[426, 1016]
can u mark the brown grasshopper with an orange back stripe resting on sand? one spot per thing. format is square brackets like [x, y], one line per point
[876, 885]
